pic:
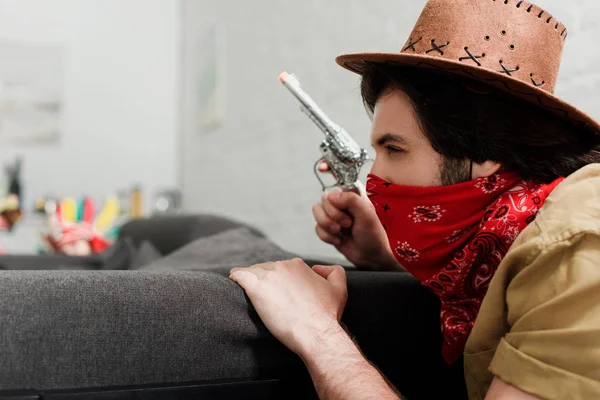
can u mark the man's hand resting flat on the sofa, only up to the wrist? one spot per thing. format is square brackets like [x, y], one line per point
[296, 303]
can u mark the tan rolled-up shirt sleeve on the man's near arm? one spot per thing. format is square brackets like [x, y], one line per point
[552, 349]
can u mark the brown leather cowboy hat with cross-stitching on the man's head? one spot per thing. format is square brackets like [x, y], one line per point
[512, 45]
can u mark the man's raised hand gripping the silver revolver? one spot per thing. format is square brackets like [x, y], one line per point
[367, 246]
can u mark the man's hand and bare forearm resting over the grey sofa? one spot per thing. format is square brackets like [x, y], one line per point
[302, 308]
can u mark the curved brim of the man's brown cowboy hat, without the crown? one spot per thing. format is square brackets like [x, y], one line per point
[357, 63]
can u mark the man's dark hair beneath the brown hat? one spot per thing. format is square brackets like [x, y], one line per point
[467, 120]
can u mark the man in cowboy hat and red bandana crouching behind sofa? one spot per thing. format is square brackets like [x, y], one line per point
[485, 188]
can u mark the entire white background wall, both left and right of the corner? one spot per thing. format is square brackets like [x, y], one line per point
[133, 100]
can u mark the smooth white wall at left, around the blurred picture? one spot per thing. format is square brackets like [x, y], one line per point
[122, 82]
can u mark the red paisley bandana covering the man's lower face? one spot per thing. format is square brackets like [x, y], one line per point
[452, 238]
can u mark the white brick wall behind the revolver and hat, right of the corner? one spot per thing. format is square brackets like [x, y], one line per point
[258, 166]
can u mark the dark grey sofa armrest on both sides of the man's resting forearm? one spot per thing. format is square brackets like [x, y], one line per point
[82, 329]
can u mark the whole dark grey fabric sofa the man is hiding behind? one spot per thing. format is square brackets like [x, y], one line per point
[76, 329]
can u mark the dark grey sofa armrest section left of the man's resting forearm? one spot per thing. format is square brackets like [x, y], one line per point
[82, 329]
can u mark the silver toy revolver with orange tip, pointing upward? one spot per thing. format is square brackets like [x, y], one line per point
[343, 155]
